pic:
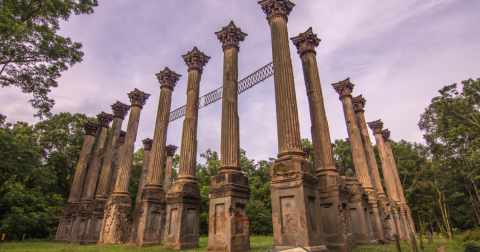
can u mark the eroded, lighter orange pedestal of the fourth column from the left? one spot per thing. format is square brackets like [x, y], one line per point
[115, 223]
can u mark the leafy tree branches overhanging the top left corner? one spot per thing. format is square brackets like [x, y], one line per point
[32, 54]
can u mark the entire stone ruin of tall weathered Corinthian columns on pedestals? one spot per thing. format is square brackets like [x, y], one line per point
[313, 205]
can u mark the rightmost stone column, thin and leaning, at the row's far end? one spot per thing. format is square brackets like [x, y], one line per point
[405, 210]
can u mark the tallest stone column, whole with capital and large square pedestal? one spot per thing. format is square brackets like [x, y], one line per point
[295, 201]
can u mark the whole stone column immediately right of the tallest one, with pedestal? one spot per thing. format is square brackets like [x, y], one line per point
[332, 195]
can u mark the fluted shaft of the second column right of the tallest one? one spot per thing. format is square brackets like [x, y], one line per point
[358, 153]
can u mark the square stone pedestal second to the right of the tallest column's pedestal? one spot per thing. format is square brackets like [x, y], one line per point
[358, 209]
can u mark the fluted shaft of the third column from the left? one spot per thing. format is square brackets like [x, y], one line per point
[109, 161]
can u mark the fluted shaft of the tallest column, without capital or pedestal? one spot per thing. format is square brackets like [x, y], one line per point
[288, 126]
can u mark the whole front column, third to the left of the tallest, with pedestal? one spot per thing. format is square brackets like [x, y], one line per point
[151, 215]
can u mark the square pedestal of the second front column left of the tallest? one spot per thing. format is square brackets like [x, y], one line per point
[183, 218]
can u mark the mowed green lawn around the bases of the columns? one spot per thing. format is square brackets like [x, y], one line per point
[257, 243]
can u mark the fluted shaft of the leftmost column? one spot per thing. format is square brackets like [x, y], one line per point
[76, 191]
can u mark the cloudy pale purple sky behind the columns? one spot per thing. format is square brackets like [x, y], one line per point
[398, 53]
